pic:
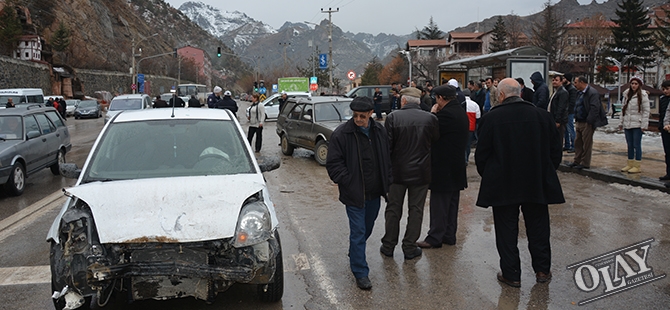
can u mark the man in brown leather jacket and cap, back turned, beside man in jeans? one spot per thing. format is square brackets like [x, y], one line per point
[411, 132]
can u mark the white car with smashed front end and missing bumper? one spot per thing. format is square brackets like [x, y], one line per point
[169, 204]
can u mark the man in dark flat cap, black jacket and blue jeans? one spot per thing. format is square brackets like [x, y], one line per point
[359, 163]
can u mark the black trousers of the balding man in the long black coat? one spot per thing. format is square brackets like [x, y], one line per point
[506, 222]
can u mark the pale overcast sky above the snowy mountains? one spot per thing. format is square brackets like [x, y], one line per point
[376, 16]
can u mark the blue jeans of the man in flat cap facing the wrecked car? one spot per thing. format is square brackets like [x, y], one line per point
[361, 222]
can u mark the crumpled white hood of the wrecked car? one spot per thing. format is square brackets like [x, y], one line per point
[177, 209]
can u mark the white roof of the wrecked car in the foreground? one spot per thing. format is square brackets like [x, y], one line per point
[166, 113]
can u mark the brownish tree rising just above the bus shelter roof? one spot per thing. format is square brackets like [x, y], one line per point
[548, 33]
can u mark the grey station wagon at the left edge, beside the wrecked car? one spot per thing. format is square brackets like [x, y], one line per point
[31, 138]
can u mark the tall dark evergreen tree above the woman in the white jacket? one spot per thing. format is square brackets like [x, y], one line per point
[633, 43]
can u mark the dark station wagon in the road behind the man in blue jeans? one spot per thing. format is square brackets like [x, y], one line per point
[309, 123]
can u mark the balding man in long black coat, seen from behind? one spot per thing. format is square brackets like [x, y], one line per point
[517, 156]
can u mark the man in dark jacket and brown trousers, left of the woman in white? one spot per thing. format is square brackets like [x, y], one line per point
[589, 115]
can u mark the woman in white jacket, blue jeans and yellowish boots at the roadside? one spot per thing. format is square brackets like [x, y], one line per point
[634, 121]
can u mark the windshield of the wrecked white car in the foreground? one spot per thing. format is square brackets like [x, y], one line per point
[169, 148]
